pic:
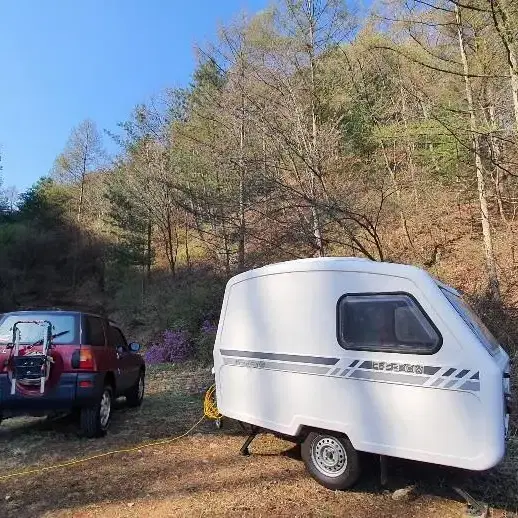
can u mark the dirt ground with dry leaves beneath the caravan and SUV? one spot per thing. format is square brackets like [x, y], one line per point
[203, 475]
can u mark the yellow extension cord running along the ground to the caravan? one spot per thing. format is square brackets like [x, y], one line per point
[210, 412]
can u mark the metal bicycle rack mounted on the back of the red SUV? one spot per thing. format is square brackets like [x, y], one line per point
[32, 368]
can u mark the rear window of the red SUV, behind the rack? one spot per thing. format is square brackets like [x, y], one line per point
[64, 328]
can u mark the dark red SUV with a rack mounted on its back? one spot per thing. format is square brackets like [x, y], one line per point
[60, 361]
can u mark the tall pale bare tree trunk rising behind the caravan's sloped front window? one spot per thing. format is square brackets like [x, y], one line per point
[486, 224]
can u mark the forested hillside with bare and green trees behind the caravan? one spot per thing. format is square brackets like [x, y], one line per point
[310, 129]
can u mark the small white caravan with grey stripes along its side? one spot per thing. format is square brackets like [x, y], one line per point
[348, 355]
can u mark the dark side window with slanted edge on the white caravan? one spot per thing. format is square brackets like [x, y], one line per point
[390, 322]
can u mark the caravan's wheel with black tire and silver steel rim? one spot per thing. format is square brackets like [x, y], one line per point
[331, 459]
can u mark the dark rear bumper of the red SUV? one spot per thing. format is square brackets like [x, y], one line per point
[72, 390]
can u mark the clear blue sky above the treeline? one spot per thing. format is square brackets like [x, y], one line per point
[62, 61]
